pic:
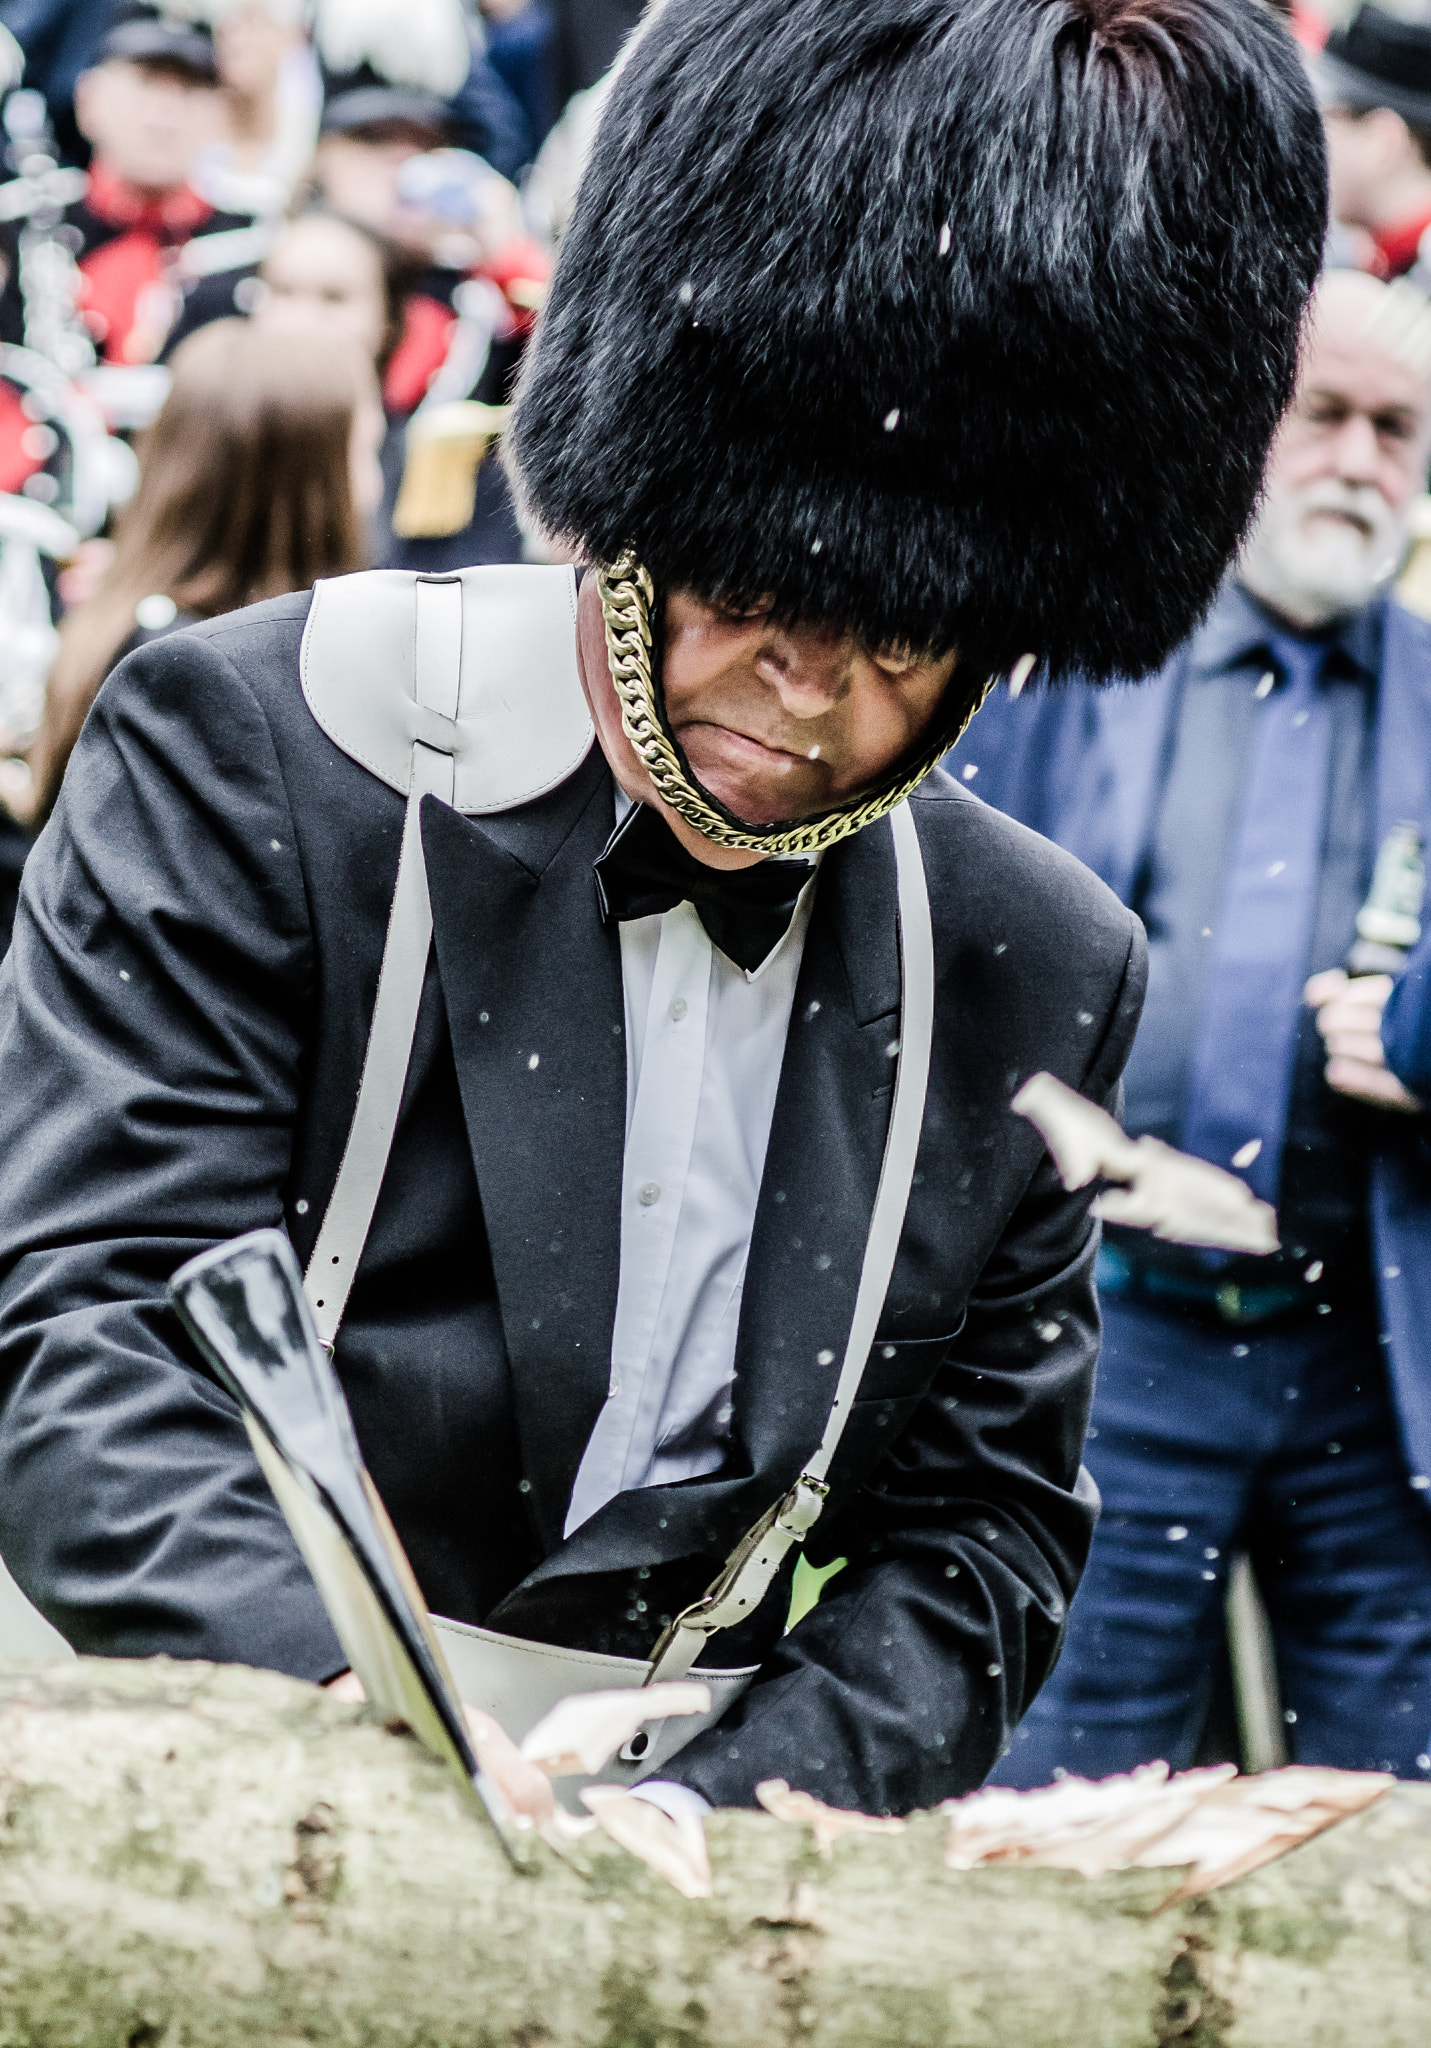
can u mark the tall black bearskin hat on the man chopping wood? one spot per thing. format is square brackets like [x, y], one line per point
[955, 323]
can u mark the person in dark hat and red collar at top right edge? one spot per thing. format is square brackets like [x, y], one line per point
[1375, 85]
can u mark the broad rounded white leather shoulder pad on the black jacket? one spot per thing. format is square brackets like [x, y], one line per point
[482, 671]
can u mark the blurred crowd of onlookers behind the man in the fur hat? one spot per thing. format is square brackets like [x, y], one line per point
[269, 273]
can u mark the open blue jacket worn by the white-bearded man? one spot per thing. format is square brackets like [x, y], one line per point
[1084, 769]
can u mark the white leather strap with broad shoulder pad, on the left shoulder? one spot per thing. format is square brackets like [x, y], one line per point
[464, 689]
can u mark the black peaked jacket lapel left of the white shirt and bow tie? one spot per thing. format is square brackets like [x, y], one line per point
[533, 996]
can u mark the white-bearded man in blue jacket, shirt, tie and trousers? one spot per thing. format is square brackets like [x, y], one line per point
[1240, 804]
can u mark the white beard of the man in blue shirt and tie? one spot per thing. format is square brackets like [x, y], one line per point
[1313, 570]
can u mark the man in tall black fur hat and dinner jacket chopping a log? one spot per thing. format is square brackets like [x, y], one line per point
[603, 986]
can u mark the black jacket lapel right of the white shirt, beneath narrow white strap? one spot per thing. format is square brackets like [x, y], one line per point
[808, 1240]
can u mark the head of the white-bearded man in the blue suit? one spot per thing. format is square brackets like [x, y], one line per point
[1346, 466]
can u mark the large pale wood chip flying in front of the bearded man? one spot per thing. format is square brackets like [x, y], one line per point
[1150, 1187]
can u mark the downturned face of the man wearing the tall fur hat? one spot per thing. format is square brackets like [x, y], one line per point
[777, 722]
